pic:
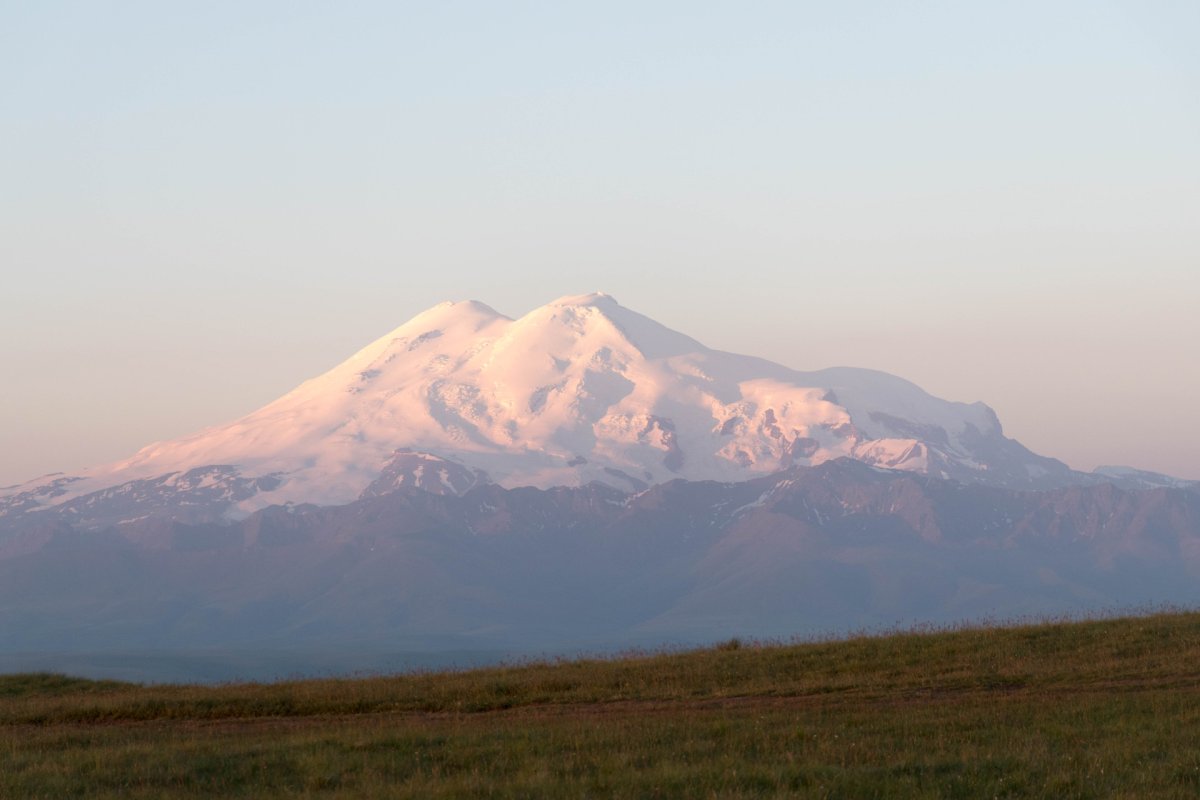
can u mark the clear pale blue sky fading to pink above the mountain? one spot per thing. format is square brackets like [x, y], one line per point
[205, 203]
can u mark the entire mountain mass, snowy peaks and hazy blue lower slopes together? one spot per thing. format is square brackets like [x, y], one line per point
[580, 478]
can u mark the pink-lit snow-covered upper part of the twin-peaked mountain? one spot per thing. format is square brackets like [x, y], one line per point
[577, 392]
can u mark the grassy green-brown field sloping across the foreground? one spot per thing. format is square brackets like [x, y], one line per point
[1100, 709]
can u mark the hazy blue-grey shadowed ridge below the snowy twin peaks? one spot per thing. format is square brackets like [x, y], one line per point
[803, 551]
